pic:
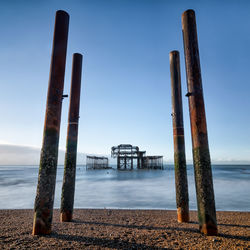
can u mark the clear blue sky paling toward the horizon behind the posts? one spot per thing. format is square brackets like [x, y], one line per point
[126, 95]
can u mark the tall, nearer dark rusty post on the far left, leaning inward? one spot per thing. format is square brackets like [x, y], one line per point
[49, 153]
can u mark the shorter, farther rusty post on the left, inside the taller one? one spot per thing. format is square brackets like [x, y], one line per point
[68, 187]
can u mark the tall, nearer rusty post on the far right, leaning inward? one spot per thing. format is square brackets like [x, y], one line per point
[201, 156]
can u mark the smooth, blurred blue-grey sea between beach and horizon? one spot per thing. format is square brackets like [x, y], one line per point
[142, 189]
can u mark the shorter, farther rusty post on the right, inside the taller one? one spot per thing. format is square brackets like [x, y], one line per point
[181, 184]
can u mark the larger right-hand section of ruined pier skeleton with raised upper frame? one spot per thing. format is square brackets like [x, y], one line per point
[126, 153]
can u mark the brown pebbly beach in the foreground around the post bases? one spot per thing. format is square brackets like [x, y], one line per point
[124, 229]
